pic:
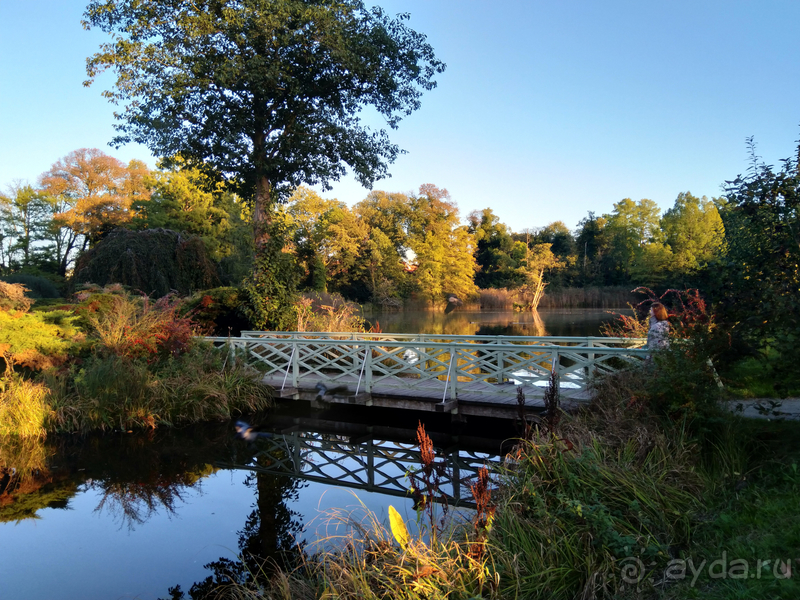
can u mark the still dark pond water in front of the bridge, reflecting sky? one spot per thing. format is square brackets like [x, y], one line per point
[131, 515]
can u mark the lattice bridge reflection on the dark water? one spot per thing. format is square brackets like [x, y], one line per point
[373, 459]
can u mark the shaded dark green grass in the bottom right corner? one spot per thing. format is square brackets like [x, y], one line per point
[751, 516]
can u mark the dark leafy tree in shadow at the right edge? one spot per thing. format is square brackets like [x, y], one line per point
[760, 299]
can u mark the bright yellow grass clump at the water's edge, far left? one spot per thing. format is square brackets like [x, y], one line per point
[24, 410]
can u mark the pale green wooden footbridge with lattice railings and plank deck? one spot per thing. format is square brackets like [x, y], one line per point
[468, 375]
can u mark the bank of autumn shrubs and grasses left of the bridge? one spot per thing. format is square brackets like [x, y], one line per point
[114, 361]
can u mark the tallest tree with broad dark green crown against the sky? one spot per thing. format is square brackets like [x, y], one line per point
[265, 92]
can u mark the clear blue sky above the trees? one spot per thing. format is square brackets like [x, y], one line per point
[547, 109]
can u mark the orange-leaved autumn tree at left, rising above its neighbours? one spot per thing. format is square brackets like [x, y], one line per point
[92, 193]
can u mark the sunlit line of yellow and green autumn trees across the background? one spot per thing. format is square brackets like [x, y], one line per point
[386, 249]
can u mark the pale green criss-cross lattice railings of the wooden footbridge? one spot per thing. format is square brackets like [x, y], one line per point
[475, 365]
